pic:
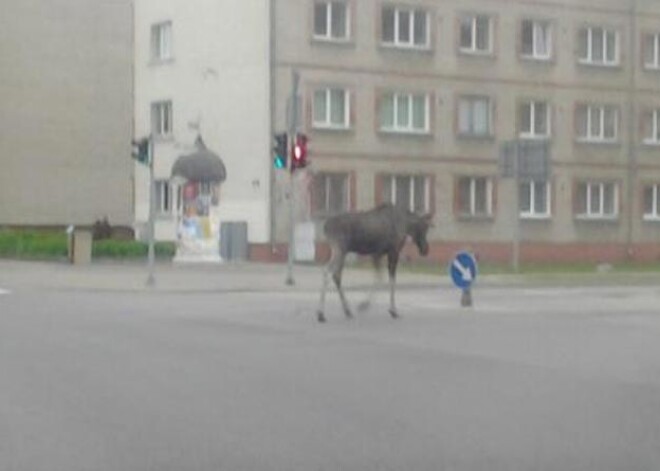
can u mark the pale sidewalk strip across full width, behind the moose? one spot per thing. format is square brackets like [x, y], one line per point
[259, 277]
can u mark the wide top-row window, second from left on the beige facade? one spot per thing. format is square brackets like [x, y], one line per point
[405, 27]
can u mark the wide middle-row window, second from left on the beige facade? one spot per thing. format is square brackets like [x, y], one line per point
[406, 113]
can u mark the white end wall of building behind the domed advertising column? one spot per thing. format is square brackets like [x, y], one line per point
[204, 70]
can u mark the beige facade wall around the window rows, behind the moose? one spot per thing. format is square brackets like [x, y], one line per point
[365, 67]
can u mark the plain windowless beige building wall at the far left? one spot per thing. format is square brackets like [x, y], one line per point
[66, 115]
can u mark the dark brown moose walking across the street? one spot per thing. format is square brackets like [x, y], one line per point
[379, 232]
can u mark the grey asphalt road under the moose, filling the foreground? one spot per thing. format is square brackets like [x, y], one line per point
[529, 379]
